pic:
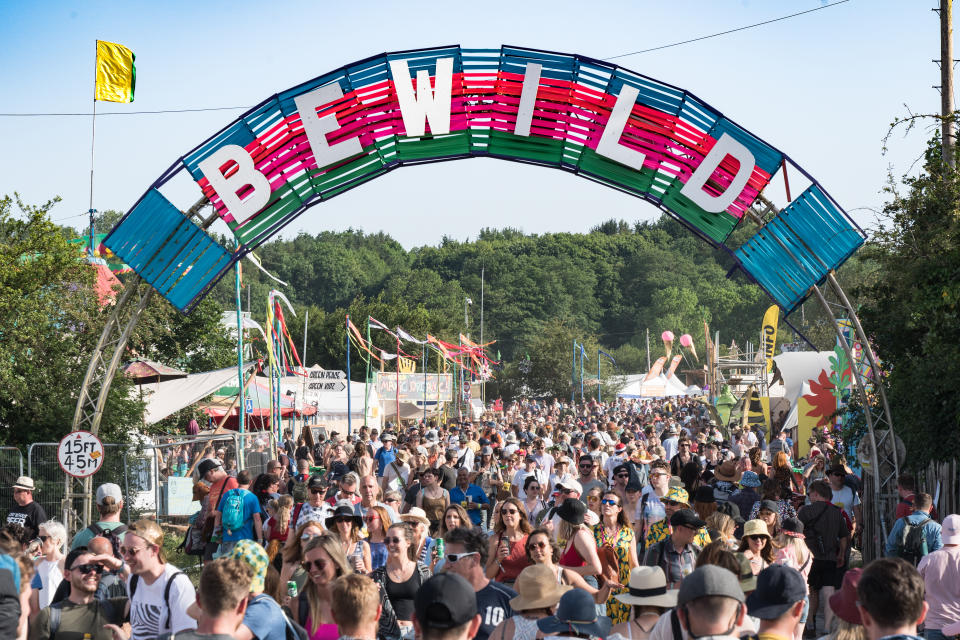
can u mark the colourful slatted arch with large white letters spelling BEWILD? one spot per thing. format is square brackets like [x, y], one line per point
[585, 116]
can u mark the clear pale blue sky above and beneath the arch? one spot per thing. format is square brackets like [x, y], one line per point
[823, 87]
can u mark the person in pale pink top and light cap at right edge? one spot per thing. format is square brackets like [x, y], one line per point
[941, 576]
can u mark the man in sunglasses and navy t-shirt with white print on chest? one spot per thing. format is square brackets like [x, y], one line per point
[467, 556]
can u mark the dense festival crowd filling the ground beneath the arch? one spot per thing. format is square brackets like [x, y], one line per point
[633, 519]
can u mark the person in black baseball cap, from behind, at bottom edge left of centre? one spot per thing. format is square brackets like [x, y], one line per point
[445, 608]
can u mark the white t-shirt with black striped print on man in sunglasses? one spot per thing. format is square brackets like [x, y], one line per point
[149, 616]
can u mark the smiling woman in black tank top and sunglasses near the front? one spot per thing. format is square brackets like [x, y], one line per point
[401, 576]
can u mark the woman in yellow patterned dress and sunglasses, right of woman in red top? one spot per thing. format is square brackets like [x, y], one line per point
[617, 541]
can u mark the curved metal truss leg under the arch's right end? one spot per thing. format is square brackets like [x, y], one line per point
[881, 482]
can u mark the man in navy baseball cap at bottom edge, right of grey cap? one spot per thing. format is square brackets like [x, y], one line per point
[778, 602]
